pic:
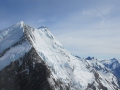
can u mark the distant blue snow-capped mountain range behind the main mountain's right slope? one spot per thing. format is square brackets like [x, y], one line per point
[105, 66]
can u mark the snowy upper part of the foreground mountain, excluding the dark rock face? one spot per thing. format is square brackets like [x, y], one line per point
[66, 71]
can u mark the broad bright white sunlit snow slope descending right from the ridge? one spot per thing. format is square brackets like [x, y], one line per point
[64, 67]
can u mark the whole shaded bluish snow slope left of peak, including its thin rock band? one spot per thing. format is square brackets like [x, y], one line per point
[12, 44]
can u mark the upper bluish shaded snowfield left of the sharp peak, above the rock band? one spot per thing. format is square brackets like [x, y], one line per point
[10, 36]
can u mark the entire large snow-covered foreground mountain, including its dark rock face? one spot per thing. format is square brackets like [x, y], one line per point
[33, 59]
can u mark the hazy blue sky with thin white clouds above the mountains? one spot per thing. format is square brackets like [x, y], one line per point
[84, 27]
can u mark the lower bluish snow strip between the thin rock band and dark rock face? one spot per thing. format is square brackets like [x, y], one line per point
[14, 53]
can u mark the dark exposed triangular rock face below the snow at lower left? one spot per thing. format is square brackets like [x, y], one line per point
[25, 74]
